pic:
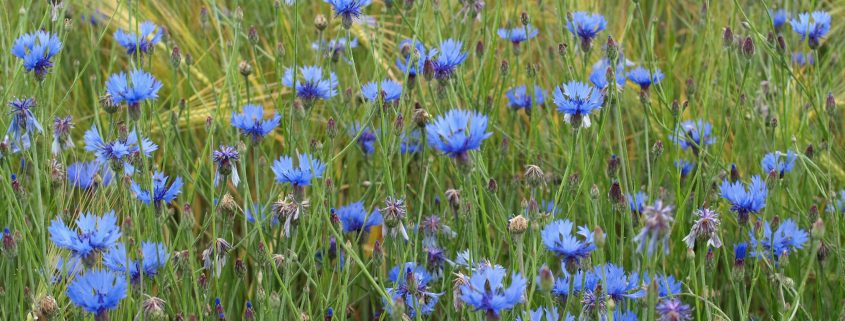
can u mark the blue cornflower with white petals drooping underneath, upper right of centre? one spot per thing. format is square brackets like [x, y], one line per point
[576, 100]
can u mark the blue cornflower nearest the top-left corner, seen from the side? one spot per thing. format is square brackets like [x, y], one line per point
[37, 49]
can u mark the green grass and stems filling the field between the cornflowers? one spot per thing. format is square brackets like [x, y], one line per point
[756, 104]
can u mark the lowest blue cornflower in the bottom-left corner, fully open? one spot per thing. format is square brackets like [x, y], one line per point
[97, 291]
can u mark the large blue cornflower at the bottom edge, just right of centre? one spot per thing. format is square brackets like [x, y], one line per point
[485, 290]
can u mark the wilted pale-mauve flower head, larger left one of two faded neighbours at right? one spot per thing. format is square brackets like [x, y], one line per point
[657, 225]
